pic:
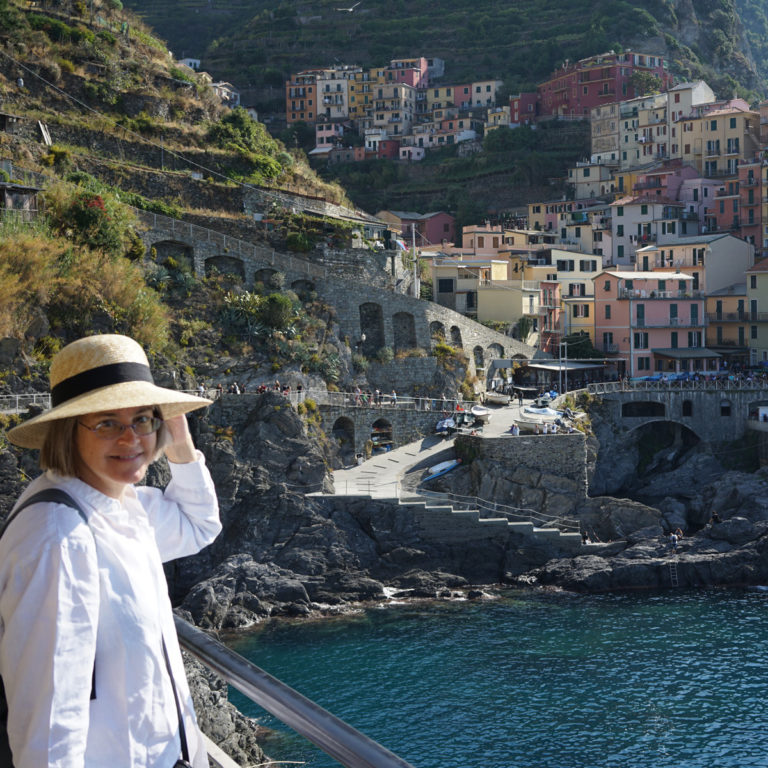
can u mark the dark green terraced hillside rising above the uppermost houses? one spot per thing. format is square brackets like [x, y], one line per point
[256, 45]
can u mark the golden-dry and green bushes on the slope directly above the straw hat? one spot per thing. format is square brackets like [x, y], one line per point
[73, 269]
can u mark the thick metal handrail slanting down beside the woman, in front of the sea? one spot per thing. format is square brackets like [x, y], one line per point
[335, 737]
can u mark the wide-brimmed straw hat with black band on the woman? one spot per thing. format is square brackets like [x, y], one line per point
[100, 373]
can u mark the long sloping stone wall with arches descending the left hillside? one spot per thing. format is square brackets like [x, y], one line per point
[363, 286]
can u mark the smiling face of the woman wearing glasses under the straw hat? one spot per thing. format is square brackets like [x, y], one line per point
[110, 465]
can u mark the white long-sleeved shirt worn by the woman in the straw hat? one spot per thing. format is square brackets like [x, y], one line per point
[70, 593]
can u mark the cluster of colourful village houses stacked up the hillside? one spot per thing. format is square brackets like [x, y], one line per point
[657, 250]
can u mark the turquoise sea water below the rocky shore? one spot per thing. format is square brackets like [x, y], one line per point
[536, 680]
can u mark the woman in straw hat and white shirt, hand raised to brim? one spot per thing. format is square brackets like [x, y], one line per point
[88, 650]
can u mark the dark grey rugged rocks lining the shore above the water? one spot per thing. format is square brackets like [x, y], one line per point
[285, 553]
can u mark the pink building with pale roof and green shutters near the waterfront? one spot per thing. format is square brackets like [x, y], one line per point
[652, 323]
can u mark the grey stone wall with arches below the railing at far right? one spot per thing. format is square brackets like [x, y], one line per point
[715, 411]
